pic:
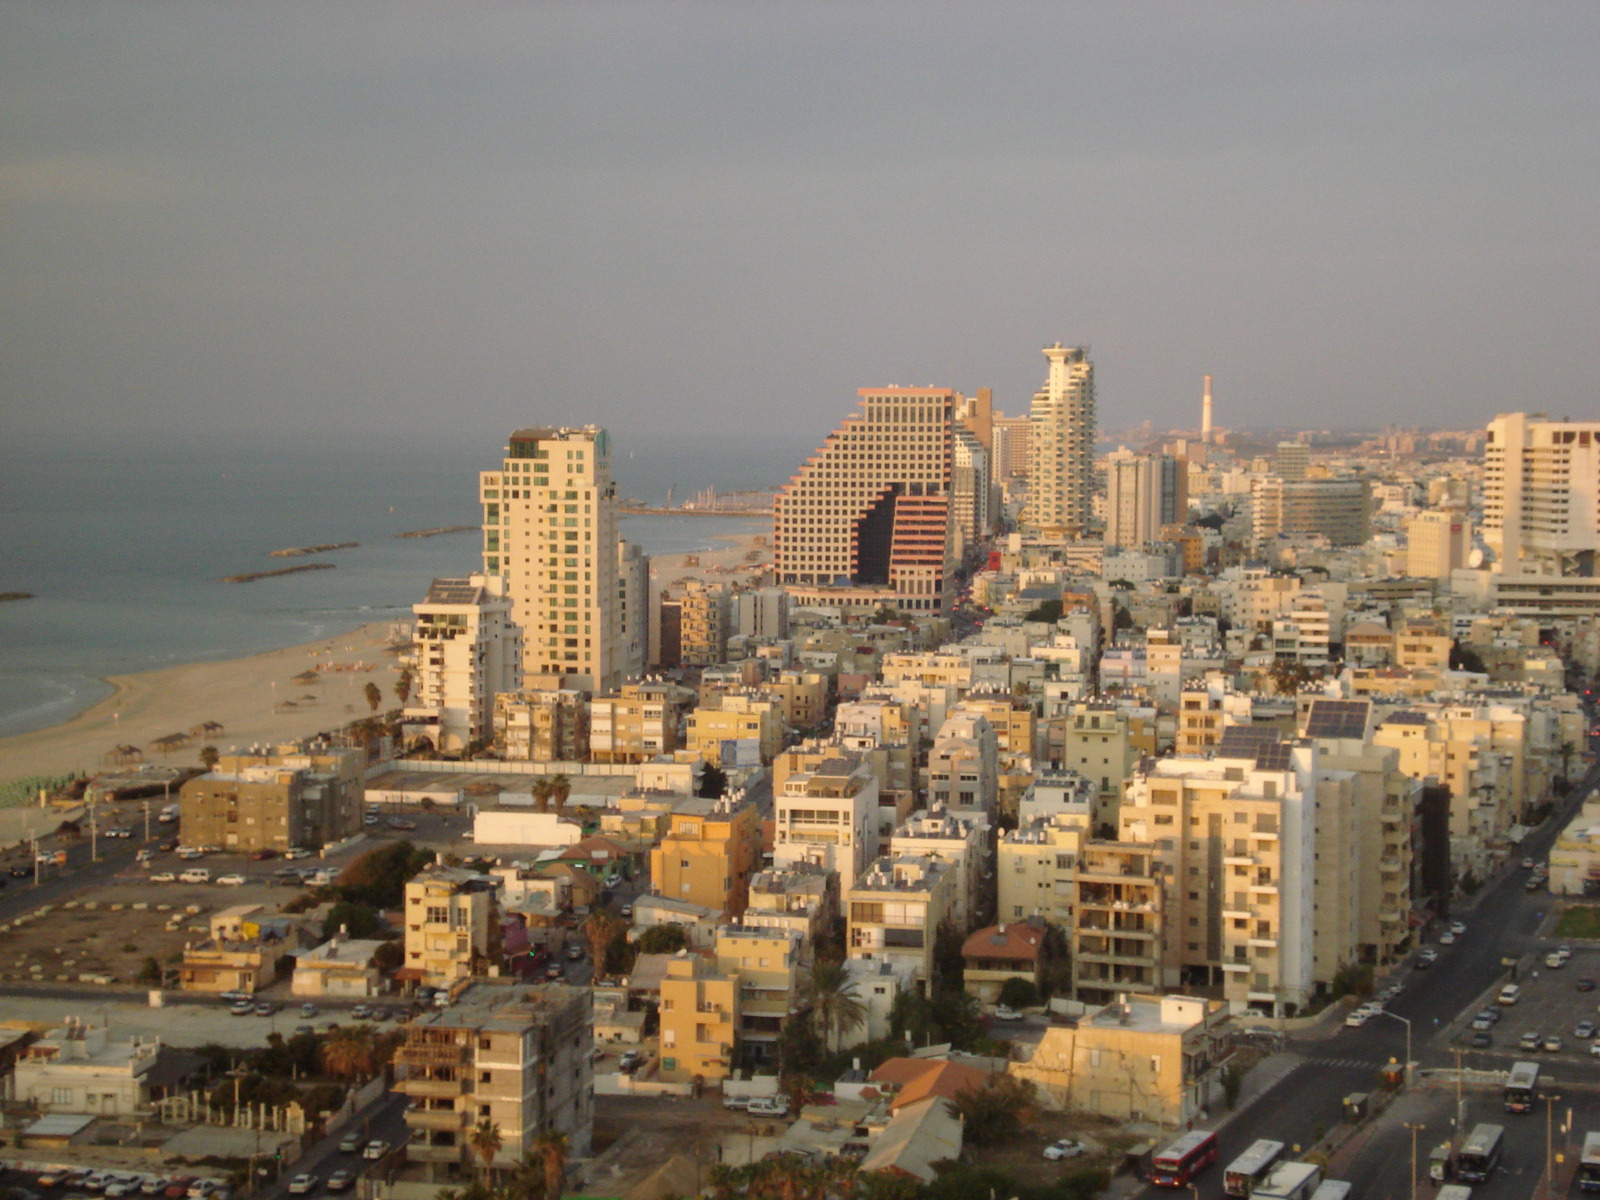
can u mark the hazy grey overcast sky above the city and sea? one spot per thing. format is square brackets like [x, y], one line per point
[465, 217]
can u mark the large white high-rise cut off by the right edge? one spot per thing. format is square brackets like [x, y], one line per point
[1542, 495]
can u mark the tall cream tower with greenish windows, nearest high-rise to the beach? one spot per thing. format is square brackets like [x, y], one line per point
[550, 532]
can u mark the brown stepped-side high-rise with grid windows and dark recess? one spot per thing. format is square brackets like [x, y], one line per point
[868, 521]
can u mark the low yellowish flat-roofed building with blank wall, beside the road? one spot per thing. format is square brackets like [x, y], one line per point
[1151, 1058]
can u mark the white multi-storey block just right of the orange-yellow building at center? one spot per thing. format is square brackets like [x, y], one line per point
[828, 817]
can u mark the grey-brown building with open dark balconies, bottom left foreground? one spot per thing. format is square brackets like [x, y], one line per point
[516, 1057]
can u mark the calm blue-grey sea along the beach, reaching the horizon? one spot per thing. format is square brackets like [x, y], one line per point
[126, 551]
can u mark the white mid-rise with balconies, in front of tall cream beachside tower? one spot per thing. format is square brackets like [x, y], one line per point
[466, 650]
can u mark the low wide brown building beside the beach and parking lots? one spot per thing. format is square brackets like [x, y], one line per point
[274, 801]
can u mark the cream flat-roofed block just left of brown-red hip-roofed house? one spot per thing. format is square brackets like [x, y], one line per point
[895, 911]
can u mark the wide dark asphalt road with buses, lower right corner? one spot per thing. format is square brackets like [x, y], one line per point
[1308, 1102]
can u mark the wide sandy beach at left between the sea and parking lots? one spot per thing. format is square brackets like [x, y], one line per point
[249, 697]
